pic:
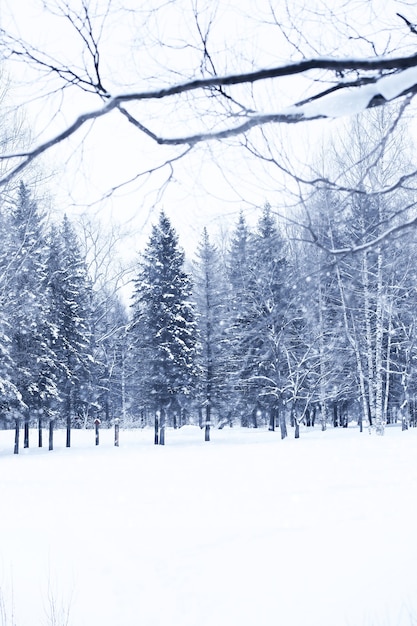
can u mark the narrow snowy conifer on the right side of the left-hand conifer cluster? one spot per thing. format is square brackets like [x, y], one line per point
[69, 322]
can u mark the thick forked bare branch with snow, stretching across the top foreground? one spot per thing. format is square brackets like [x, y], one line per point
[343, 98]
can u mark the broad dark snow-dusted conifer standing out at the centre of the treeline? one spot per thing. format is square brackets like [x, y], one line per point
[163, 328]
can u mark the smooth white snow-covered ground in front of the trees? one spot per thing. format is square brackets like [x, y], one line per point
[246, 530]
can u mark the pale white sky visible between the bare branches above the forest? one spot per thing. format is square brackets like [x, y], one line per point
[217, 180]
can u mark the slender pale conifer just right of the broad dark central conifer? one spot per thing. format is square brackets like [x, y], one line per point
[210, 292]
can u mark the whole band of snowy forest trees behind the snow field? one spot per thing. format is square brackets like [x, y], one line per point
[267, 329]
